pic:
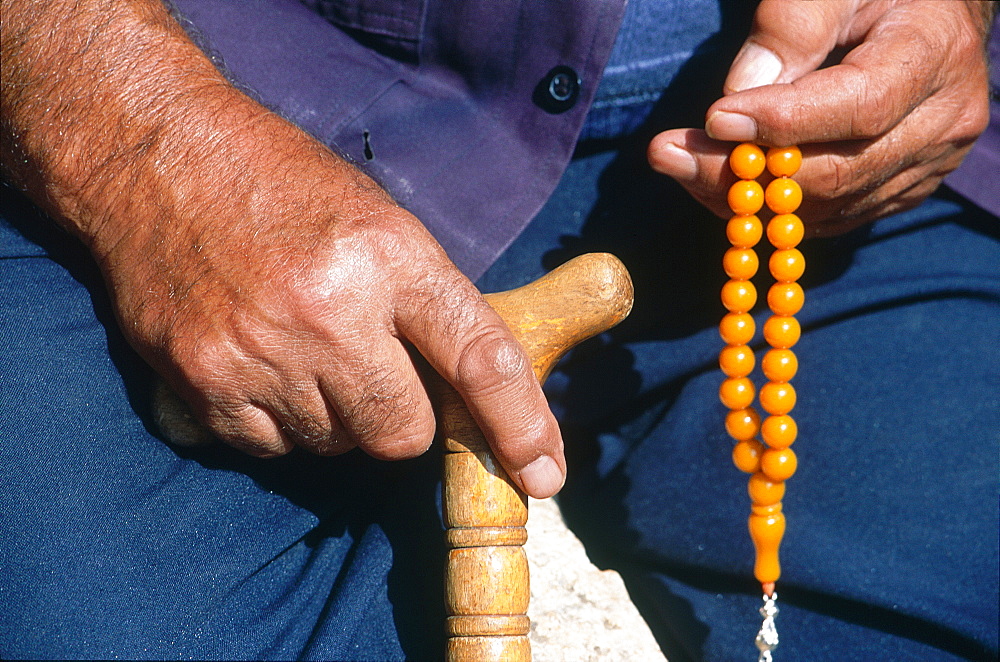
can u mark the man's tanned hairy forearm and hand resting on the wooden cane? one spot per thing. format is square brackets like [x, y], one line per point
[278, 289]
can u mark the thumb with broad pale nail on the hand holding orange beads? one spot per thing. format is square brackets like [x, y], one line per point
[787, 41]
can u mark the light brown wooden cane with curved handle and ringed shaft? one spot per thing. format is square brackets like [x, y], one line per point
[487, 572]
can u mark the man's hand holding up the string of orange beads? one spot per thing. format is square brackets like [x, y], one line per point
[878, 130]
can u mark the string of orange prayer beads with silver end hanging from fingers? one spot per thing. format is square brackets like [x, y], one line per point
[771, 462]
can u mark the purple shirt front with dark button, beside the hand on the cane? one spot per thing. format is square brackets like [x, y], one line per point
[455, 106]
